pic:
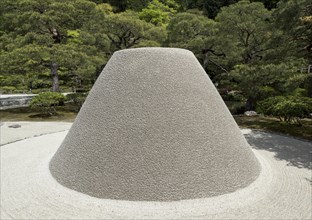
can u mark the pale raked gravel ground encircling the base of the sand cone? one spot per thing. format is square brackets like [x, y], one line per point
[28, 191]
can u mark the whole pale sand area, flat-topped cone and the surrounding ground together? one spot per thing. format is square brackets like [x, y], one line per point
[153, 140]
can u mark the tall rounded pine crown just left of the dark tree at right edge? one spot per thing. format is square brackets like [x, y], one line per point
[243, 32]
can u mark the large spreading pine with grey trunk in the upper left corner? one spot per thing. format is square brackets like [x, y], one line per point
[40, 39]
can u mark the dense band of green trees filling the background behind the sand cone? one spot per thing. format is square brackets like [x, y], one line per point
[255, 52]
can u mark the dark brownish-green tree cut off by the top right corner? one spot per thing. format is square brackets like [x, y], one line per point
[293, 35]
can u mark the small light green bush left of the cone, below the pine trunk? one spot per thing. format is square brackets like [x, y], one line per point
[47, 101]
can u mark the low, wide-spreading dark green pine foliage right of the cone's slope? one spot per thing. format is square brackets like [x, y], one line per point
[258, 82]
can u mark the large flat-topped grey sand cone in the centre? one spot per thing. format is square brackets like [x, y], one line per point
[154, 128]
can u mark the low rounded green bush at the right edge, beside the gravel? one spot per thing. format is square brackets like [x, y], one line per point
[288, 108]
